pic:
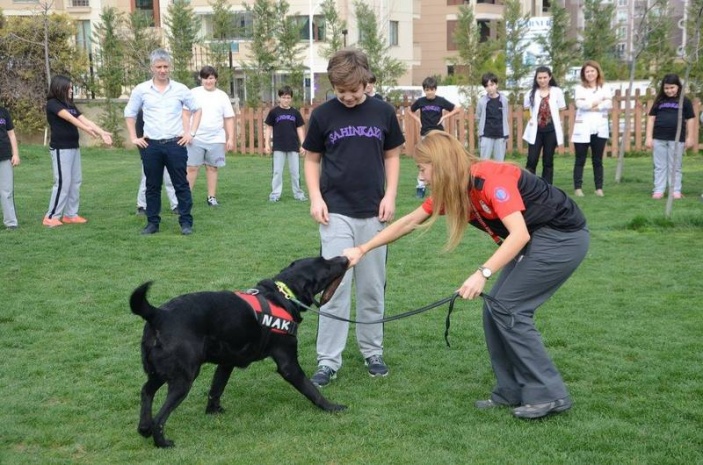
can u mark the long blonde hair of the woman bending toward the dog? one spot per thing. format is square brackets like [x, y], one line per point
[451, 178]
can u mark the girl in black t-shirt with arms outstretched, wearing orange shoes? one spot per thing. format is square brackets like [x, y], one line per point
[64, 121]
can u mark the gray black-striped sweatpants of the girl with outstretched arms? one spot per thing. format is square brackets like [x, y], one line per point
[65, 194]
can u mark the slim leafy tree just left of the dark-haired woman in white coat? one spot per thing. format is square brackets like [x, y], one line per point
[513, 29]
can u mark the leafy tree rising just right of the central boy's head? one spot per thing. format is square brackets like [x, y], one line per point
[372, 42]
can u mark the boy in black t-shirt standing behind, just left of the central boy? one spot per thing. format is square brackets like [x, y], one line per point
[288, 128]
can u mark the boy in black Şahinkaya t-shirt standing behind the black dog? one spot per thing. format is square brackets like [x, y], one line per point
[352, 165]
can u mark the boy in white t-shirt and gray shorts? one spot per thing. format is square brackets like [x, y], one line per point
[215, 134]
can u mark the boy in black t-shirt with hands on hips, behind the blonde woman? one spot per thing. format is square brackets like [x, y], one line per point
[434, 110]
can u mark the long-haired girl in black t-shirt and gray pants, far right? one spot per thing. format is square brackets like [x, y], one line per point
[661, 135]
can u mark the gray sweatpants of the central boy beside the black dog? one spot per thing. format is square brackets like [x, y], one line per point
[369, 277]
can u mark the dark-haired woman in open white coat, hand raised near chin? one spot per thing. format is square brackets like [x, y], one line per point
[544, 131]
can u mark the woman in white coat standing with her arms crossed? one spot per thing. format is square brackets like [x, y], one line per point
[593, 100]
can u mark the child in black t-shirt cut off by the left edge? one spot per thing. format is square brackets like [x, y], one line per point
[9, 158]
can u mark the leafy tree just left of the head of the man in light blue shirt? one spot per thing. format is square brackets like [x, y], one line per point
[142, 40]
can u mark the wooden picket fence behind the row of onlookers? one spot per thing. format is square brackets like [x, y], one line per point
[250, 127]
